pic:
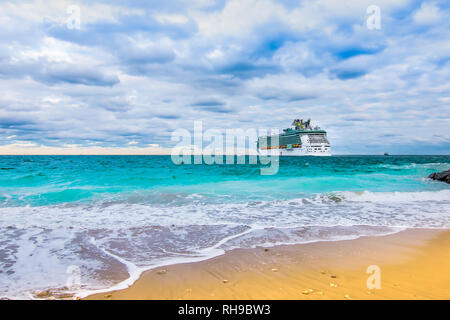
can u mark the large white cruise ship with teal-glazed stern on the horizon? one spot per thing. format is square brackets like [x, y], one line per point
[301, 139]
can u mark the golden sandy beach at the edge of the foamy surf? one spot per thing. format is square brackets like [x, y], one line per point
[413, 264]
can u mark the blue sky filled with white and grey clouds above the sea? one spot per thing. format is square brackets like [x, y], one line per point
[122, 76]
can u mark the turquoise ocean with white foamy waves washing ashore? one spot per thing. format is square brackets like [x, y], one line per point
[85, 224]
